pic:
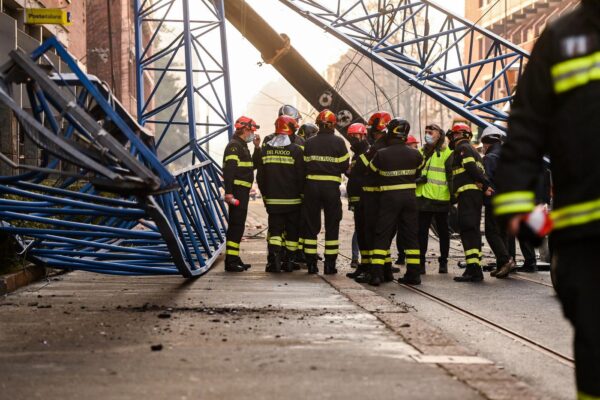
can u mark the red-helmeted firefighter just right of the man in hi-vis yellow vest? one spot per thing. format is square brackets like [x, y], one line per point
[468, 184]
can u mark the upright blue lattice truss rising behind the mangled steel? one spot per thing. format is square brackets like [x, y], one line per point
[183, 85]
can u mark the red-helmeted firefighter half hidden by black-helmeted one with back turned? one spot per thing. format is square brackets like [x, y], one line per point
[369, 196]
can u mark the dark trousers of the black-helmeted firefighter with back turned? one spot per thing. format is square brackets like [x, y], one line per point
[397, 212]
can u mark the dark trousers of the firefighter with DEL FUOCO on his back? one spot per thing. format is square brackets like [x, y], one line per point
[283, 231]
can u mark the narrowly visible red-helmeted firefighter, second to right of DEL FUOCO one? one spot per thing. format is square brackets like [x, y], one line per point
[357, 133]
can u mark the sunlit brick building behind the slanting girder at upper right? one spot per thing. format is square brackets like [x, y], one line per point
[519, 21]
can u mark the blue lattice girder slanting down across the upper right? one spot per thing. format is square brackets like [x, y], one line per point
[428, 47]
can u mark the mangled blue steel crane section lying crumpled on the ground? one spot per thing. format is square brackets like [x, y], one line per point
[100, 199]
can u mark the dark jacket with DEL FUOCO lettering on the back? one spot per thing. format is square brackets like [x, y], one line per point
[280, 177]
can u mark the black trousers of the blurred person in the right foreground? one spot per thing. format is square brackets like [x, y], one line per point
[578, 288]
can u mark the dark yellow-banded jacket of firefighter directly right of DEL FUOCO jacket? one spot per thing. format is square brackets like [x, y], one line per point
[326, 157]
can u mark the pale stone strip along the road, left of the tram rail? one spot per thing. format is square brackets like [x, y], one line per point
[483, 376]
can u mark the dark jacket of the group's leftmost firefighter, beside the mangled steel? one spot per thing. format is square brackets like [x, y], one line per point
[238, 168]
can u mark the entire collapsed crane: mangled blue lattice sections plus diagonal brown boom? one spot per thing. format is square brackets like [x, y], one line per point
[120, 195]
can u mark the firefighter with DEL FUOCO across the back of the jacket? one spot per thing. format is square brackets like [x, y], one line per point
[280, 179]
